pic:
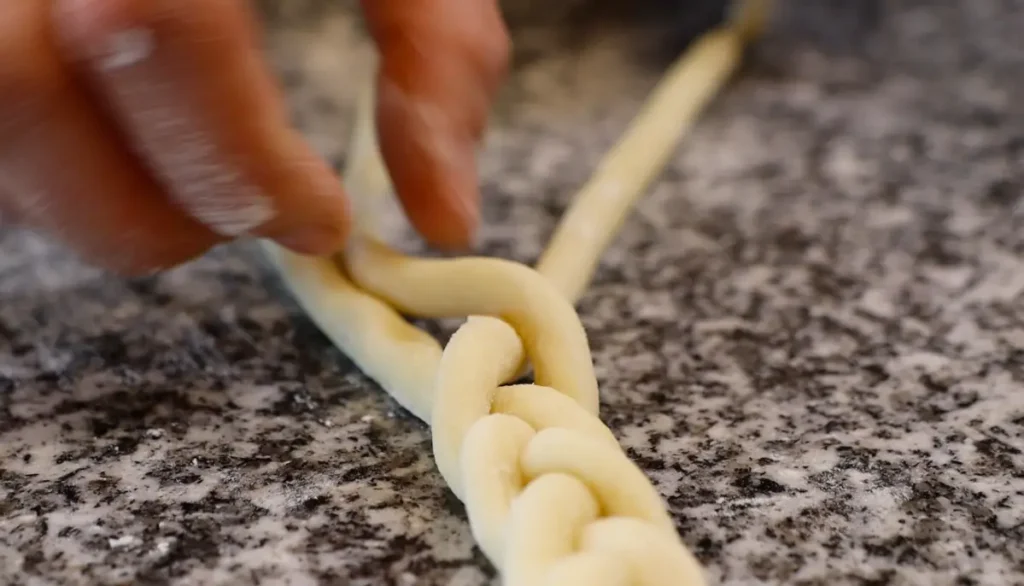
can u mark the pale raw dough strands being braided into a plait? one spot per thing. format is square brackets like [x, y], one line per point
[551, 496]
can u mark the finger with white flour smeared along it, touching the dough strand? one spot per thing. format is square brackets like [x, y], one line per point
[188, 82]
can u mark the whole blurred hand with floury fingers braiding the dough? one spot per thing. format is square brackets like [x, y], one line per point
[125, 124]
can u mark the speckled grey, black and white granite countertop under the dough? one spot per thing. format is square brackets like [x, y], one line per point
[810, 336]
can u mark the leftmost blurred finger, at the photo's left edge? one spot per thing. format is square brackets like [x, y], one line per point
[63, 171]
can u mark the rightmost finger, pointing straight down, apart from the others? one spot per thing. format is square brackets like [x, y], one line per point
[443, 62]
